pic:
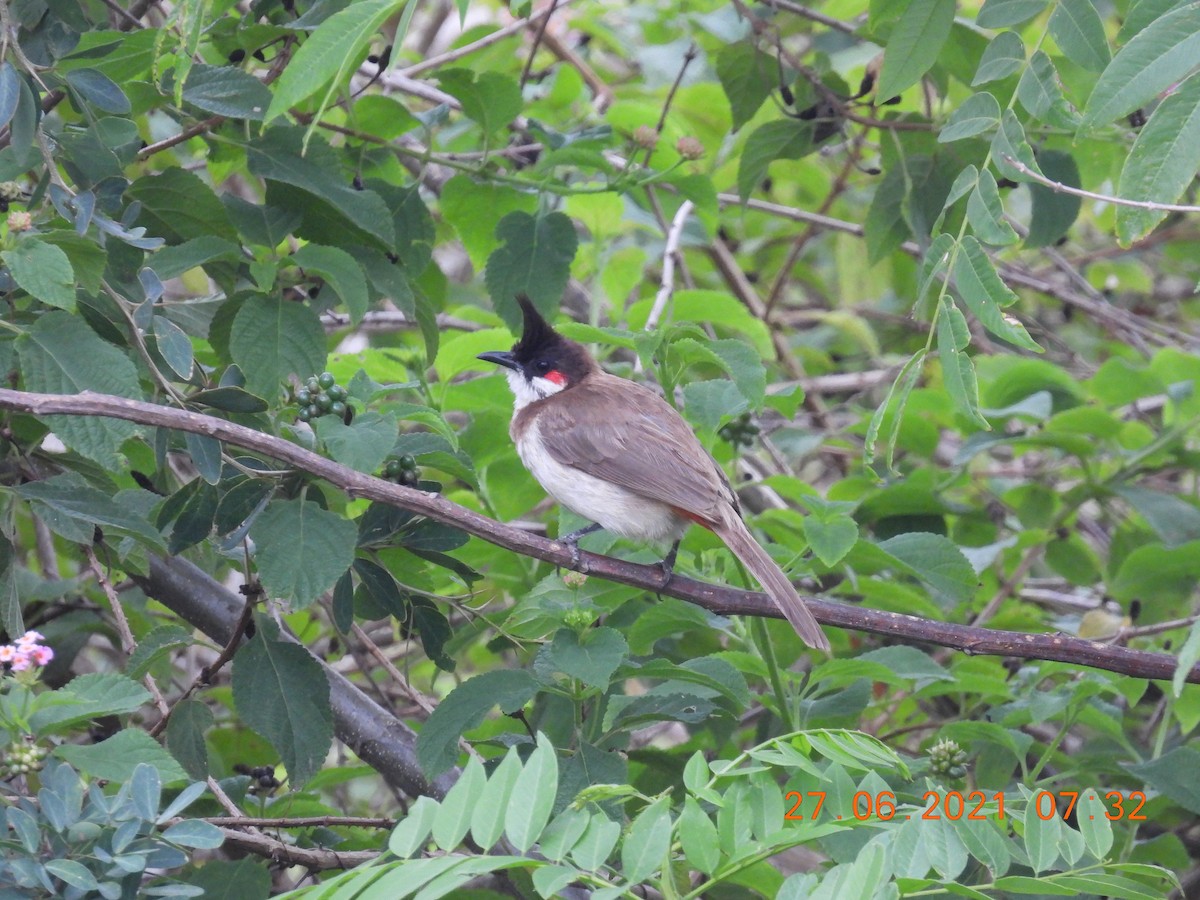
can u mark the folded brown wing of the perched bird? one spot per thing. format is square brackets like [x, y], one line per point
[637, 440]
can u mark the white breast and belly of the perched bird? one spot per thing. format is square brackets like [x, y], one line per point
[616, 509]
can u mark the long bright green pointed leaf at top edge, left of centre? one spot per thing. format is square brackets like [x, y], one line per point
[332, 53]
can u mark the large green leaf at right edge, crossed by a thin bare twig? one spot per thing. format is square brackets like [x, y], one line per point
[1163, 163]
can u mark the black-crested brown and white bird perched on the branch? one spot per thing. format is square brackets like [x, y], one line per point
[622, 458]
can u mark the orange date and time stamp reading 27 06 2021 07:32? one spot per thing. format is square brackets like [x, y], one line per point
[973, 806]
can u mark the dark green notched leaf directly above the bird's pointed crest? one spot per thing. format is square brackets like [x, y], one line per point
[535, 260]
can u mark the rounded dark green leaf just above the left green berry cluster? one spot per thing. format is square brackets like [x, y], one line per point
[273, 339]
